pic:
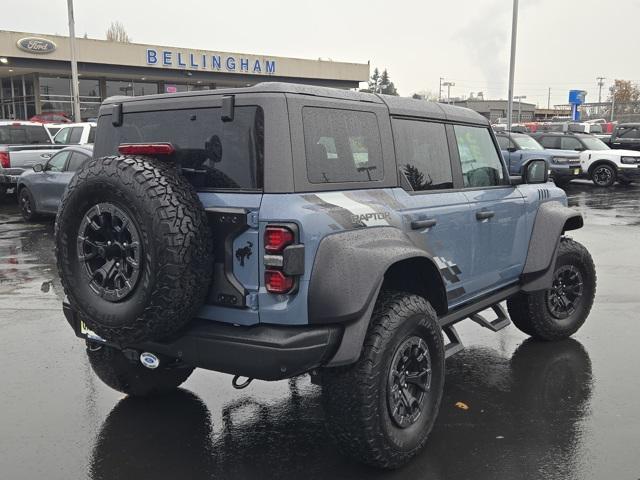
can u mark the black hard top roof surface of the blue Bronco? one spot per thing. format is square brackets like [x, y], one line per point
[397, 105]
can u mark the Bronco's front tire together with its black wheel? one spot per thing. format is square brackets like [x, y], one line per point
[560, 311]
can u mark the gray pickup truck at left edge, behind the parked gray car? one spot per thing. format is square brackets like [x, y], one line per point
[22, 145]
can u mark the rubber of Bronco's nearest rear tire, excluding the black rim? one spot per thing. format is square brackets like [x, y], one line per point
[355, 397]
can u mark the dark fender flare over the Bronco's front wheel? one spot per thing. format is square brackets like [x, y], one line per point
[552, 220]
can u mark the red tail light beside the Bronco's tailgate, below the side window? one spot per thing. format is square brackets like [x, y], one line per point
[284, 259]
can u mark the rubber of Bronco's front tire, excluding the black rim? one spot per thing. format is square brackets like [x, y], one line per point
[530, 312]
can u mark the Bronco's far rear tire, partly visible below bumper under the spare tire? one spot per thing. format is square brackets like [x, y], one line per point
[131, 377]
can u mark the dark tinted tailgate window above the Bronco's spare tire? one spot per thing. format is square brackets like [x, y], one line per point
[214, 155]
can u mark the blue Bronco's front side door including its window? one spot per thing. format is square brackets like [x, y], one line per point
[498, 244]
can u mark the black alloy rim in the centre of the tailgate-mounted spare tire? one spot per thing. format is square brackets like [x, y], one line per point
[108, 246]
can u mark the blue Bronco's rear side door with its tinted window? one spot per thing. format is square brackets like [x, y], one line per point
[437, 216]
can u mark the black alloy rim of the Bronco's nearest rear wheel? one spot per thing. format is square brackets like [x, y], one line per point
[409, 381]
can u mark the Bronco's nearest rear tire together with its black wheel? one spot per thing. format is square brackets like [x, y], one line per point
[376, 411]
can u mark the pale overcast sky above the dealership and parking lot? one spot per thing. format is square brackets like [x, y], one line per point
[562, 44]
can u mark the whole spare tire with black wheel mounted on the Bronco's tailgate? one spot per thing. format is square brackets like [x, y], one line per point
[133, 247]
